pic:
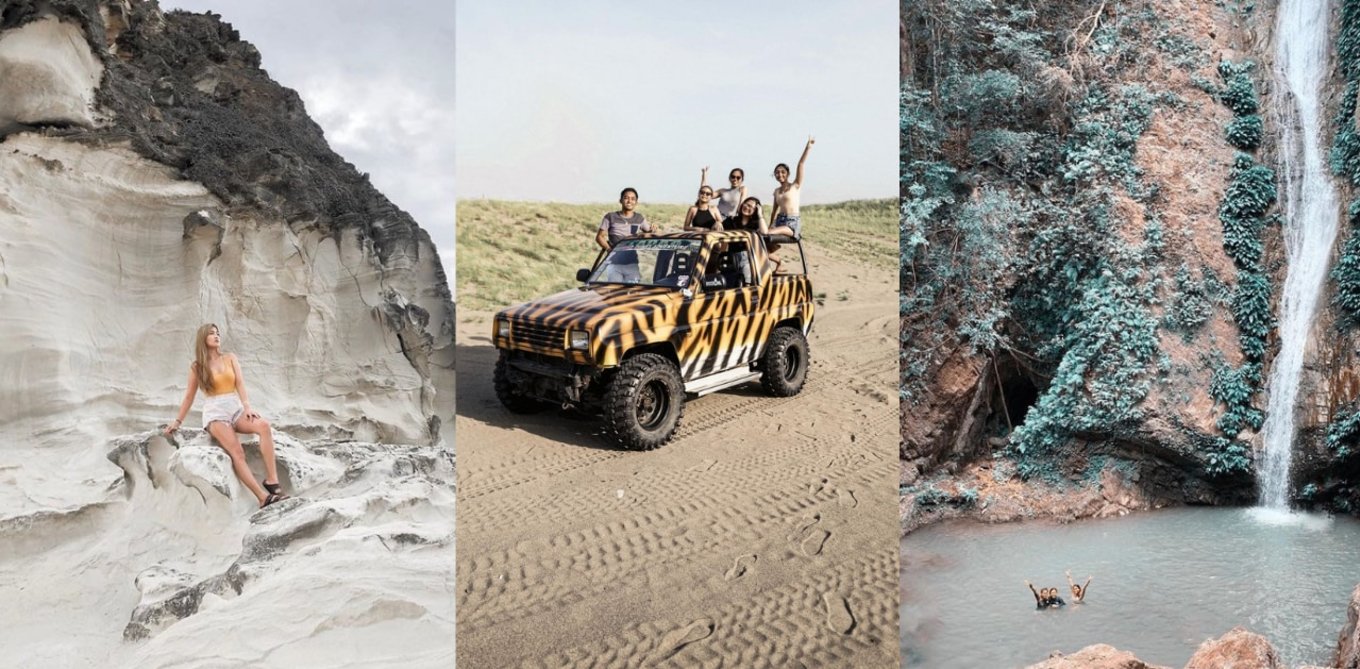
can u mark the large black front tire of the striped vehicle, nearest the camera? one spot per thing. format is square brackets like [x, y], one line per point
[644, 403]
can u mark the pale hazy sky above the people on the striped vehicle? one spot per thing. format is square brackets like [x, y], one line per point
[575, 101]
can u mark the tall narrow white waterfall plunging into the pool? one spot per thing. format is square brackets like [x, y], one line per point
[1310, 210]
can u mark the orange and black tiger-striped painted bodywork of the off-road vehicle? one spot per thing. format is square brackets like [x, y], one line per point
[711, 331]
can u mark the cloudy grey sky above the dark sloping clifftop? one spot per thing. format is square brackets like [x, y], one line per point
[377, 78]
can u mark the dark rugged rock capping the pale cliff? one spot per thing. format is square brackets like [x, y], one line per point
[187, 92]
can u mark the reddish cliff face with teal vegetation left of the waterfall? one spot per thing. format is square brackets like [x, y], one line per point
[1091, 248]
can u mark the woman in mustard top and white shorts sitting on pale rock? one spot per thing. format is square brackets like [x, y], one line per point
[226, 411]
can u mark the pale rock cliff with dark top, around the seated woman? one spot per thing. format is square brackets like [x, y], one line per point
[153, 177]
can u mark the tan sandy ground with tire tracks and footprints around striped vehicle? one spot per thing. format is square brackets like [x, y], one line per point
[765, 535]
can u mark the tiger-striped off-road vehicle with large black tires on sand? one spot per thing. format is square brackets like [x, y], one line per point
[656, 320]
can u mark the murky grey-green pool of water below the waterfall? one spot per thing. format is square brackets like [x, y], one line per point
[1165, 583]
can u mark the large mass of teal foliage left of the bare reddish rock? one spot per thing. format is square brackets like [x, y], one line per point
[1014, 183]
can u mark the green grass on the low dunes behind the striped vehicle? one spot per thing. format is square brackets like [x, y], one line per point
[513, 252]
